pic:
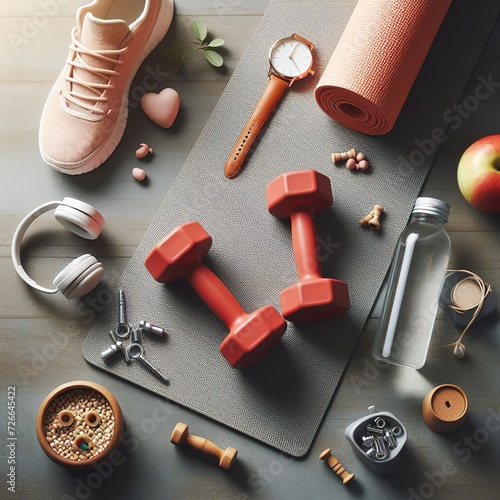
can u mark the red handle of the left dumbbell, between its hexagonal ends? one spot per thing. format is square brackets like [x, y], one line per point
[215, 294]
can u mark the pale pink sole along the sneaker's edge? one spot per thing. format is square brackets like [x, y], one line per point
[160, 29]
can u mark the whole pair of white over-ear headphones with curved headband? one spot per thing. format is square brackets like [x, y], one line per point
[83, 273]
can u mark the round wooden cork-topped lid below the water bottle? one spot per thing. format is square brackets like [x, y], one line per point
[445, 408]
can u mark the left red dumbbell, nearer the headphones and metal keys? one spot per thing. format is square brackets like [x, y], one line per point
[179, 255]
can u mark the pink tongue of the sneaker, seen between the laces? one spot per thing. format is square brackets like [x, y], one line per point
[97, 34]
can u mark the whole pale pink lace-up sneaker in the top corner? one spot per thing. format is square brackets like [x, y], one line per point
[86, 112]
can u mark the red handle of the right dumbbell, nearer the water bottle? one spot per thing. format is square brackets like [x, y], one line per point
[304, 237]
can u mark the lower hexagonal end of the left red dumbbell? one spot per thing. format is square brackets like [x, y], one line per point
[253, 337]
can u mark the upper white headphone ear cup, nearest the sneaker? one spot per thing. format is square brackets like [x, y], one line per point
[80, 218]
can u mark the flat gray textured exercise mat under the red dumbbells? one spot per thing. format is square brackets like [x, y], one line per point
[281, 400]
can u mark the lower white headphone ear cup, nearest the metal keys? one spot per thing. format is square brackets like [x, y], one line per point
[79, 277]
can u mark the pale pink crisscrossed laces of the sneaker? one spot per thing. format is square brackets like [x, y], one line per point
[89, 102]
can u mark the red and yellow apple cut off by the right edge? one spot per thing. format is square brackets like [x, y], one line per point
[478, 174]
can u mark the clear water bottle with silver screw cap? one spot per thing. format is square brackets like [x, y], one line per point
[414, 284]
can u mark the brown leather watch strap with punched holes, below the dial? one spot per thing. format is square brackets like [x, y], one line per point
[272, 94]
